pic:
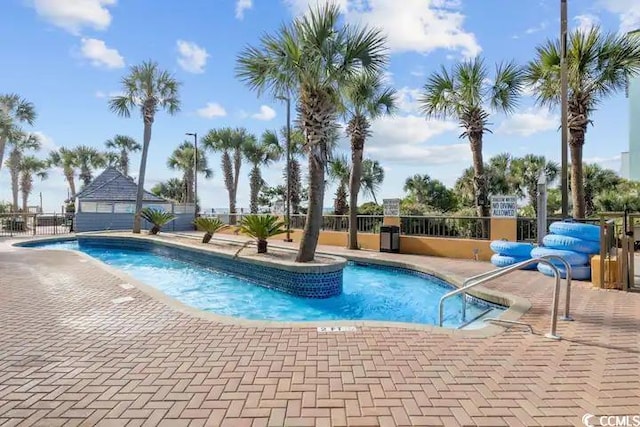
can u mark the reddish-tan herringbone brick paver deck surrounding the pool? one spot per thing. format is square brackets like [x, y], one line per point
[70, 356]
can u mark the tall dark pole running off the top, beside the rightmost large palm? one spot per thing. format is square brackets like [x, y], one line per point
[564, 114]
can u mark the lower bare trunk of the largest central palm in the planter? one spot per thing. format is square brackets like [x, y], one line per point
[309, 240]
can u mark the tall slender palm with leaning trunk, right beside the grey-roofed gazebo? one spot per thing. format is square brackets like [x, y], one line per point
[149, 89]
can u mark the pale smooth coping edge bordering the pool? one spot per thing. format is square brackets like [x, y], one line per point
[516, 306]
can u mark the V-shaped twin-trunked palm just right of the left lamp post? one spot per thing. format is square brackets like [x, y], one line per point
[231, 143]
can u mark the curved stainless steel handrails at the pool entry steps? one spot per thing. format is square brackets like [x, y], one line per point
[479, 279]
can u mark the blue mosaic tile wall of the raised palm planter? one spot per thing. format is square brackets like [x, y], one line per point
[309, 285]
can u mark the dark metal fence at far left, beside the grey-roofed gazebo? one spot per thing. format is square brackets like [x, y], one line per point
[28, 224]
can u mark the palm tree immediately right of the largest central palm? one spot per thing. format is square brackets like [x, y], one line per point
[366, 98]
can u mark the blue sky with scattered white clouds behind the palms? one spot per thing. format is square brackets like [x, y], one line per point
[67, 57]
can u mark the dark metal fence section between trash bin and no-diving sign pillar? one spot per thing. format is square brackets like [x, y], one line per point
[441, 226]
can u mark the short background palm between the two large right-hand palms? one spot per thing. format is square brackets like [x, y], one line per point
[527, 171]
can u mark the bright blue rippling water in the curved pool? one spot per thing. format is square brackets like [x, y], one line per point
[369, 292]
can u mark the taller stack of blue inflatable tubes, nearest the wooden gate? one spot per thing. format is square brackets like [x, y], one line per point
[573, 242]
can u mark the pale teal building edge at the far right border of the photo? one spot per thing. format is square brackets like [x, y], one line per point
[630, 160]
